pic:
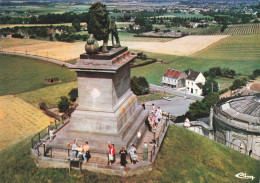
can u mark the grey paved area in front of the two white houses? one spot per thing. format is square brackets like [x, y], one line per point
[177, 106]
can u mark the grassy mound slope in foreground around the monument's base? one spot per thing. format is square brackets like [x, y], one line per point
[184, 157]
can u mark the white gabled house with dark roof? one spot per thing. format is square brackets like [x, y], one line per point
[194, 82]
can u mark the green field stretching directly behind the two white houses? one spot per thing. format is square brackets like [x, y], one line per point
[153, 72]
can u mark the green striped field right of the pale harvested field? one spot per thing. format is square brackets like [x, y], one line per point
[234, 48]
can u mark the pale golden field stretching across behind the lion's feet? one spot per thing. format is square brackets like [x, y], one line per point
[68, 51]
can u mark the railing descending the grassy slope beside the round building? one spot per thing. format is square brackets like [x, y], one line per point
[222, 140]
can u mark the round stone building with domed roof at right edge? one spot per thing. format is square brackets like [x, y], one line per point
[237, 123]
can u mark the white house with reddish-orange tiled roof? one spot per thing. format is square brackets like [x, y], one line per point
[174, 78]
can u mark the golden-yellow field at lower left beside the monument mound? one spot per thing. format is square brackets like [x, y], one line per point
[19, 120]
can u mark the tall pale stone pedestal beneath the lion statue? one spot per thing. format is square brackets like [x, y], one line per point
[108, 109]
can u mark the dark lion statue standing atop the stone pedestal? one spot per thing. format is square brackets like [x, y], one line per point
[100, 25]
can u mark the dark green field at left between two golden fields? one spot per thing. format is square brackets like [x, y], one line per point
[19, 74]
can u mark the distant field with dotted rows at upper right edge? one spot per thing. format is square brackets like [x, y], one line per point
[240, 29]
